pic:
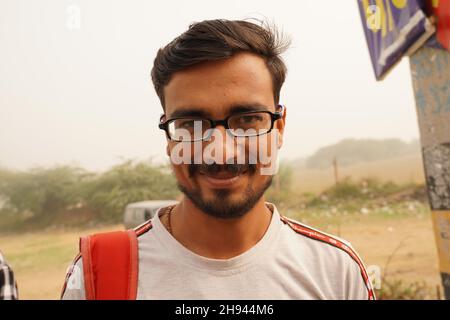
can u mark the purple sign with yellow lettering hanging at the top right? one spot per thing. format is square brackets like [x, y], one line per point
[393, 28]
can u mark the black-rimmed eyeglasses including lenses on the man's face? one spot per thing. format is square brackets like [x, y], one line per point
[244, 124]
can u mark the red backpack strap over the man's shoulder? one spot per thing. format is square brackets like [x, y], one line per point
[110, 265]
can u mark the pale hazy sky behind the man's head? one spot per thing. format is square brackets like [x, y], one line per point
[84, 96]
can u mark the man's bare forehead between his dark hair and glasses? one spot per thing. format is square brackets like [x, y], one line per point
[214, 87]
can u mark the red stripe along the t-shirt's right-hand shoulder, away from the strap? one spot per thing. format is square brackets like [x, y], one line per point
[316, 235]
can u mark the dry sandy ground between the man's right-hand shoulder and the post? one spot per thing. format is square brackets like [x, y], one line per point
[407, 243]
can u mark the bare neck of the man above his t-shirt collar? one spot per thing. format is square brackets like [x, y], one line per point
[218, 238]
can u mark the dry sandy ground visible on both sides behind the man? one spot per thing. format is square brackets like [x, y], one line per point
[40, 259]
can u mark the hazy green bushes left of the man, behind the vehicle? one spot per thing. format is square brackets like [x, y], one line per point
[42, 195]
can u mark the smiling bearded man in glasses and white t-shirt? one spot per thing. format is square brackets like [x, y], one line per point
[219, 85]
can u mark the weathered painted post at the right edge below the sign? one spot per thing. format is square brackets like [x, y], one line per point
[430, 70]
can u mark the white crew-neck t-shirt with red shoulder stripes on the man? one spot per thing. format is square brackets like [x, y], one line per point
[291, 261]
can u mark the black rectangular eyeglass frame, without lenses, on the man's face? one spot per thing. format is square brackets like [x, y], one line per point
[224, 122]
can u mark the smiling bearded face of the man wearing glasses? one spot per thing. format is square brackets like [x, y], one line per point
[215, 90]
